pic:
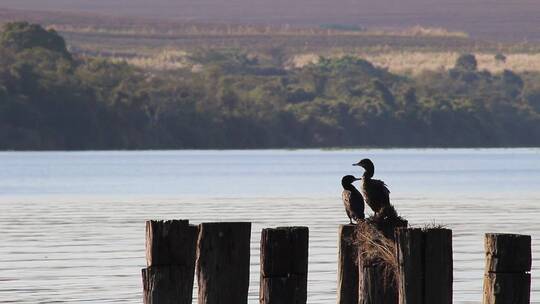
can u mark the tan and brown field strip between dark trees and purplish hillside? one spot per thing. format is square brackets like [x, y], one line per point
[165, 45]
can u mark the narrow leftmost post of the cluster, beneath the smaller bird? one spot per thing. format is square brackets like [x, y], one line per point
[347, 289]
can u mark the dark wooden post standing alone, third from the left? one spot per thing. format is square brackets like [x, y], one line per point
[284, 265]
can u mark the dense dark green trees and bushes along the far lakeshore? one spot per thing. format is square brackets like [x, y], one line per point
[51, 99]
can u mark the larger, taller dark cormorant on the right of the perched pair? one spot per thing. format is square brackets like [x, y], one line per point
[375, 192]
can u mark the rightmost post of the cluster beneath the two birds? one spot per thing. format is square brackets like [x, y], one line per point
[438, 266]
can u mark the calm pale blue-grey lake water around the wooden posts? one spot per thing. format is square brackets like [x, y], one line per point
[72, 223]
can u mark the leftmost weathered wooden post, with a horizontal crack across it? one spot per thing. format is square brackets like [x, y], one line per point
[170, 259]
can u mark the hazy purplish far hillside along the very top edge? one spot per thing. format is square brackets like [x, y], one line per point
[514, 20]
